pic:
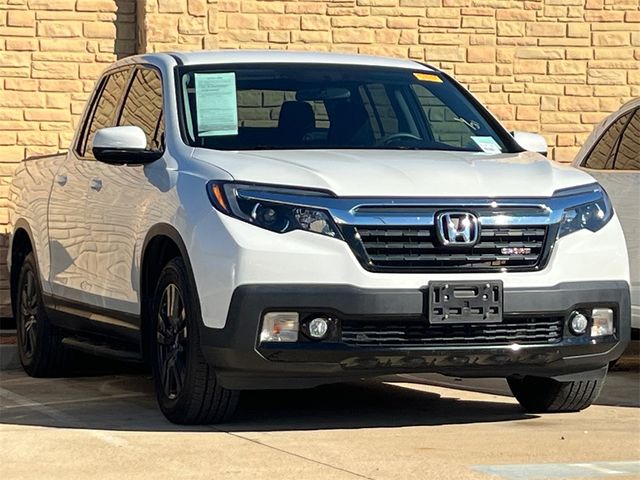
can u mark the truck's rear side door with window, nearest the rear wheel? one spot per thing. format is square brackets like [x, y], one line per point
[71, 262]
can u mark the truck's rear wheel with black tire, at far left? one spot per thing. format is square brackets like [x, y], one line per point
[40, 346]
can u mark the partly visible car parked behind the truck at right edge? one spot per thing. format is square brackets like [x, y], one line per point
[611, 155]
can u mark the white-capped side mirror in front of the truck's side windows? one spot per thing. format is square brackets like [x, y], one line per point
[123, 145]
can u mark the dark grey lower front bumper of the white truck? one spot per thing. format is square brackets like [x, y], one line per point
[241, 362]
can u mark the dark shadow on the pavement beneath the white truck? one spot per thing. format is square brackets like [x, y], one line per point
[120, 397]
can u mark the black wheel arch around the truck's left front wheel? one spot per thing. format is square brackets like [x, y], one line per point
[162, 243]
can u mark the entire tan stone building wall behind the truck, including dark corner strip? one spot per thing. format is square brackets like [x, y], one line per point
[551, 66]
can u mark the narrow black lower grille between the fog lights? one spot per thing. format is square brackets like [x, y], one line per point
[544, 330]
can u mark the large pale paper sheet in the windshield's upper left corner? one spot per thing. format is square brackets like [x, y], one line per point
[216, 104]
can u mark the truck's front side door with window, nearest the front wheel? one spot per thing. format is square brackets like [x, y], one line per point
[119, 196]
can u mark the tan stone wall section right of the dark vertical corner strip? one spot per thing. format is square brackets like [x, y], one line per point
[550, 66]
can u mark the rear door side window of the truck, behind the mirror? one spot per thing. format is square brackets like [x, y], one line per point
[105, 109]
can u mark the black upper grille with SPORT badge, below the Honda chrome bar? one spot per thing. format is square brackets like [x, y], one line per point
[415, 248]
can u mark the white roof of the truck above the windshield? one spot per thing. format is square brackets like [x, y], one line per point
[284, 56]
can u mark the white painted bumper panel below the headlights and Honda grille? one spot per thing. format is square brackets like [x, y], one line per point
[236, 253]
